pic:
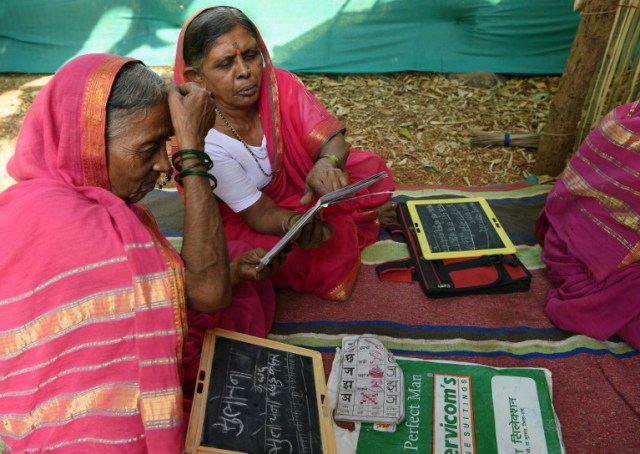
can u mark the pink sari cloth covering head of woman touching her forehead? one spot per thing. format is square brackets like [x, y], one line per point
[59, 139]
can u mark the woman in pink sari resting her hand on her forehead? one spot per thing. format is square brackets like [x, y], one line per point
[94, 347]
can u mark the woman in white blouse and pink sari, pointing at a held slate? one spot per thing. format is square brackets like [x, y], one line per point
[276, 148]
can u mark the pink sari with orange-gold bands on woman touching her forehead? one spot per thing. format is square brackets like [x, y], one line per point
[92, 302]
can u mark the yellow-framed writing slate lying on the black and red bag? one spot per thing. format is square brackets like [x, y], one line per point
[455, 228]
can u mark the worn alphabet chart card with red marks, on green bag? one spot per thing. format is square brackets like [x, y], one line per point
[371, 385]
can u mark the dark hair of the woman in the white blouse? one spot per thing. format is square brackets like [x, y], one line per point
[207, 27]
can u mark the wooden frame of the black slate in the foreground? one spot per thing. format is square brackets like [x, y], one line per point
[198, 411]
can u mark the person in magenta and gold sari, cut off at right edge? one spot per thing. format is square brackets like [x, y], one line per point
[590, 233]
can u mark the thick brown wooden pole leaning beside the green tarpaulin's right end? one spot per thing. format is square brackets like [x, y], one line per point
[558, 136]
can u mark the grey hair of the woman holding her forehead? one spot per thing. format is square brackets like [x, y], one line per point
[135, 89]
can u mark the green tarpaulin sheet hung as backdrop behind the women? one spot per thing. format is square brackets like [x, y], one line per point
[328, 36]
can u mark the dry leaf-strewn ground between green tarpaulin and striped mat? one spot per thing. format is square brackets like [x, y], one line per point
[422, 124]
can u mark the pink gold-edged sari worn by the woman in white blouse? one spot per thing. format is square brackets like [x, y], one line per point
[296, 126]
